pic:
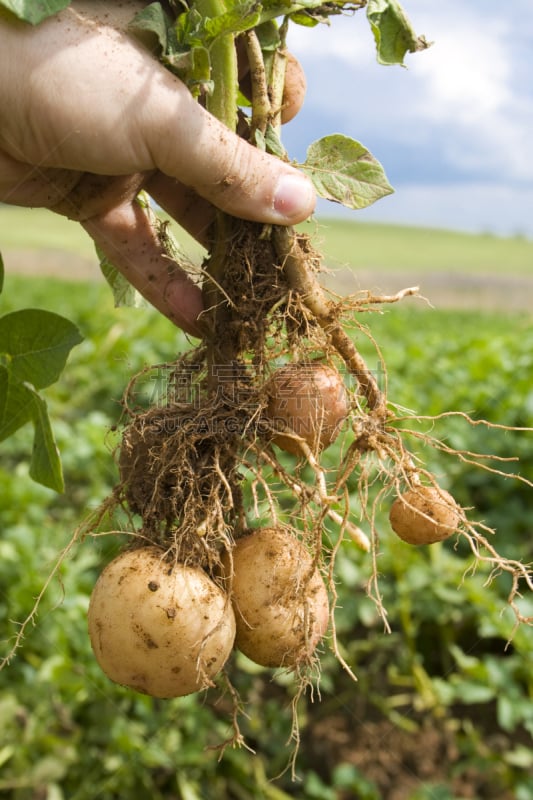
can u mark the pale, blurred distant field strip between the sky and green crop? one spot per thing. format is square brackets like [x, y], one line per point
[453, 270]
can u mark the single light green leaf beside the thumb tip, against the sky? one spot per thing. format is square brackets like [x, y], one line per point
[344, 171]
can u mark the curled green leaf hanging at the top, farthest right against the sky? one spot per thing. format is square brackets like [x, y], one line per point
[392, 31]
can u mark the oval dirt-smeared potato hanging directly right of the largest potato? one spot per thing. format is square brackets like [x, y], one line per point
[280, 600]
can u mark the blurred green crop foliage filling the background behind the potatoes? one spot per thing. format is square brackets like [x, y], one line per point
[442, 709]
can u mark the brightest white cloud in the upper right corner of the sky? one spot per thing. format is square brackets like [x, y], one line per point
[469, 87]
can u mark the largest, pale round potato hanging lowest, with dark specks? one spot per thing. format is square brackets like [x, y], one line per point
[160, 628]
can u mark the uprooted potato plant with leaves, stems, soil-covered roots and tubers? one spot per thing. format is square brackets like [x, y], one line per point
[250, 411]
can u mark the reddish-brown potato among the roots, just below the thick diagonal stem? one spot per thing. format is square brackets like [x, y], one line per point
[310, 400]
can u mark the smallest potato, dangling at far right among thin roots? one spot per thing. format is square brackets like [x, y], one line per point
[424, 515]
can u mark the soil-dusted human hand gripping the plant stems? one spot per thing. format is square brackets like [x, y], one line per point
[88, 118]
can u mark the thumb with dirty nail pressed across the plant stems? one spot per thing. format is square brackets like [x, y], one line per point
[189, 144]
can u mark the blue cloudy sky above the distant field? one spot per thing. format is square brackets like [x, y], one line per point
[453, 130]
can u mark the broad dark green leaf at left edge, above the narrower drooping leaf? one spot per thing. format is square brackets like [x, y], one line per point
[37, 344]
